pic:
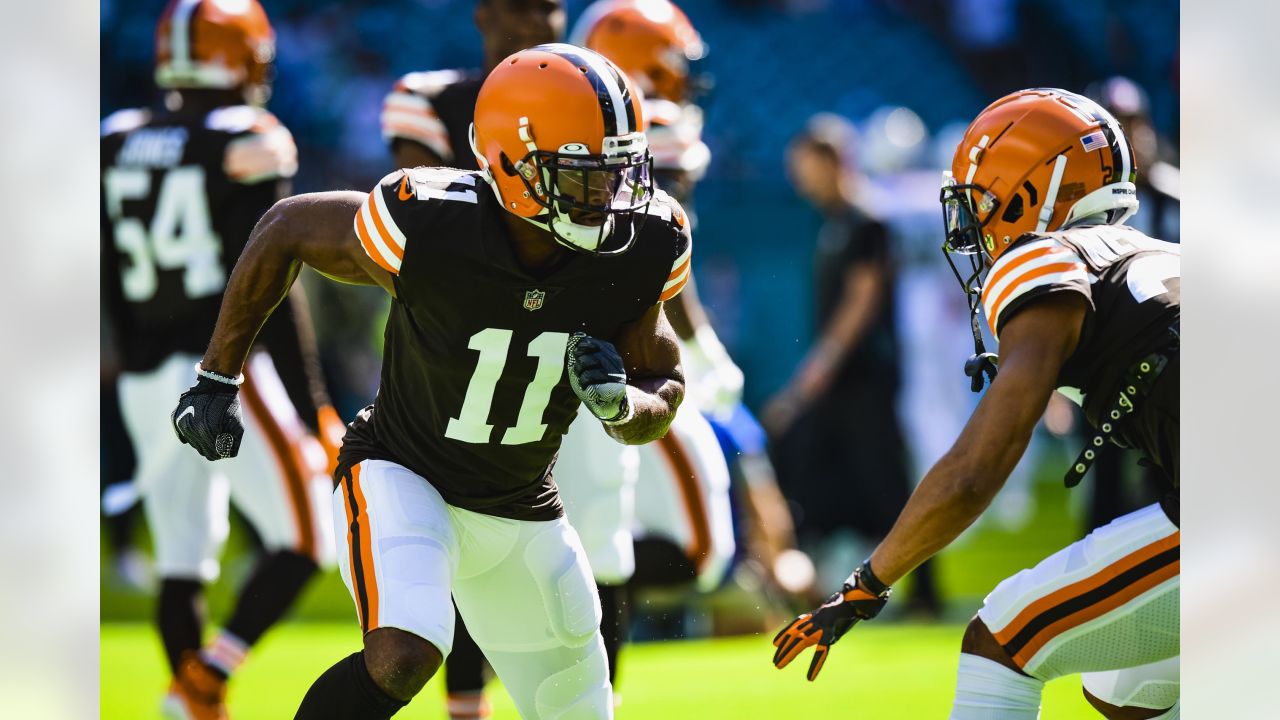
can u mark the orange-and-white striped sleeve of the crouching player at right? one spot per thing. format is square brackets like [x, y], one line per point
[1030, 271]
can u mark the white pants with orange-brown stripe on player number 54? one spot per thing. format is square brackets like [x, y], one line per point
[278, 480]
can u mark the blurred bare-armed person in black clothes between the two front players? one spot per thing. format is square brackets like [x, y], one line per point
[838, 440]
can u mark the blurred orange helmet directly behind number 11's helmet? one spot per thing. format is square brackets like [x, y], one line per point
[651, 40]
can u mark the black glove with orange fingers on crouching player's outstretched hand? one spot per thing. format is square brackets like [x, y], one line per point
[829, 623]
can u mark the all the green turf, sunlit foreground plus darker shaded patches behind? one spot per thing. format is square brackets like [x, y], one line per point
[885, 669]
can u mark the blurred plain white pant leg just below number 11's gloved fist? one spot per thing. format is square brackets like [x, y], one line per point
[597, 477]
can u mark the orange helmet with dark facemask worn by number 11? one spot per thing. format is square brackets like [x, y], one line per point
[559, 135]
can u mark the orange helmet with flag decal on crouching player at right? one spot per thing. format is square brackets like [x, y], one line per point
[1036, 161]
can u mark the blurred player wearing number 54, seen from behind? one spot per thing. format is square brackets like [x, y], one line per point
[182, 188]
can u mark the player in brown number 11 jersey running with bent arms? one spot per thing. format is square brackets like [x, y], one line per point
[520, 291]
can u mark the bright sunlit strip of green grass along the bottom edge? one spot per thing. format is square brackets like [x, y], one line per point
[894, 672]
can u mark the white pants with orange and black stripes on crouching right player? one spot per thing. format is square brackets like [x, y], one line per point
[1107, 607]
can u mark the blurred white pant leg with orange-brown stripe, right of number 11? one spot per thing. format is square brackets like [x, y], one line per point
[683, 495]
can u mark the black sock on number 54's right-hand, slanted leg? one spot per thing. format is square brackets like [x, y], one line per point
[269, 593]
